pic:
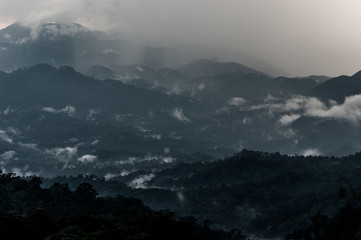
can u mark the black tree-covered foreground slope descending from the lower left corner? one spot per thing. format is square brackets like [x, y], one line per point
[31, 212]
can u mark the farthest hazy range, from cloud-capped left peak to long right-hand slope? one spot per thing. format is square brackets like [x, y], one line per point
[74, 45]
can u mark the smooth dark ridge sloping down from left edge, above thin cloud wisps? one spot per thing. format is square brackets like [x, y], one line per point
[44, 85]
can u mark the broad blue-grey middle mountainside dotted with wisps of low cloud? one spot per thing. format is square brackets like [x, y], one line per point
[60, 117]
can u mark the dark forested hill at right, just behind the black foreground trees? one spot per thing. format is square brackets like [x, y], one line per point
[249, 190]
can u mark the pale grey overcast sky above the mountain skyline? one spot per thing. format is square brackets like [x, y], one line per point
[301, 37]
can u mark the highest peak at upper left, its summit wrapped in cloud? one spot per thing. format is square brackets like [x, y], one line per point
[59, 44]
